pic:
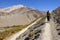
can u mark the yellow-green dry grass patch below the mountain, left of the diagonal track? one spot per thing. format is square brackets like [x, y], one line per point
[11, 31]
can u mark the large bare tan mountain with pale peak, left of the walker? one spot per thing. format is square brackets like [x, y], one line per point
[18, 15]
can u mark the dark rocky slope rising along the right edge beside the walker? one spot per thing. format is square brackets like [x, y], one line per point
[56, 17]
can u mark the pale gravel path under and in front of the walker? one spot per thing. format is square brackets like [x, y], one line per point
[47, 35]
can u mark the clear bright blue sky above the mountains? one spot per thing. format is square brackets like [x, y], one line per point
[37, 4]
